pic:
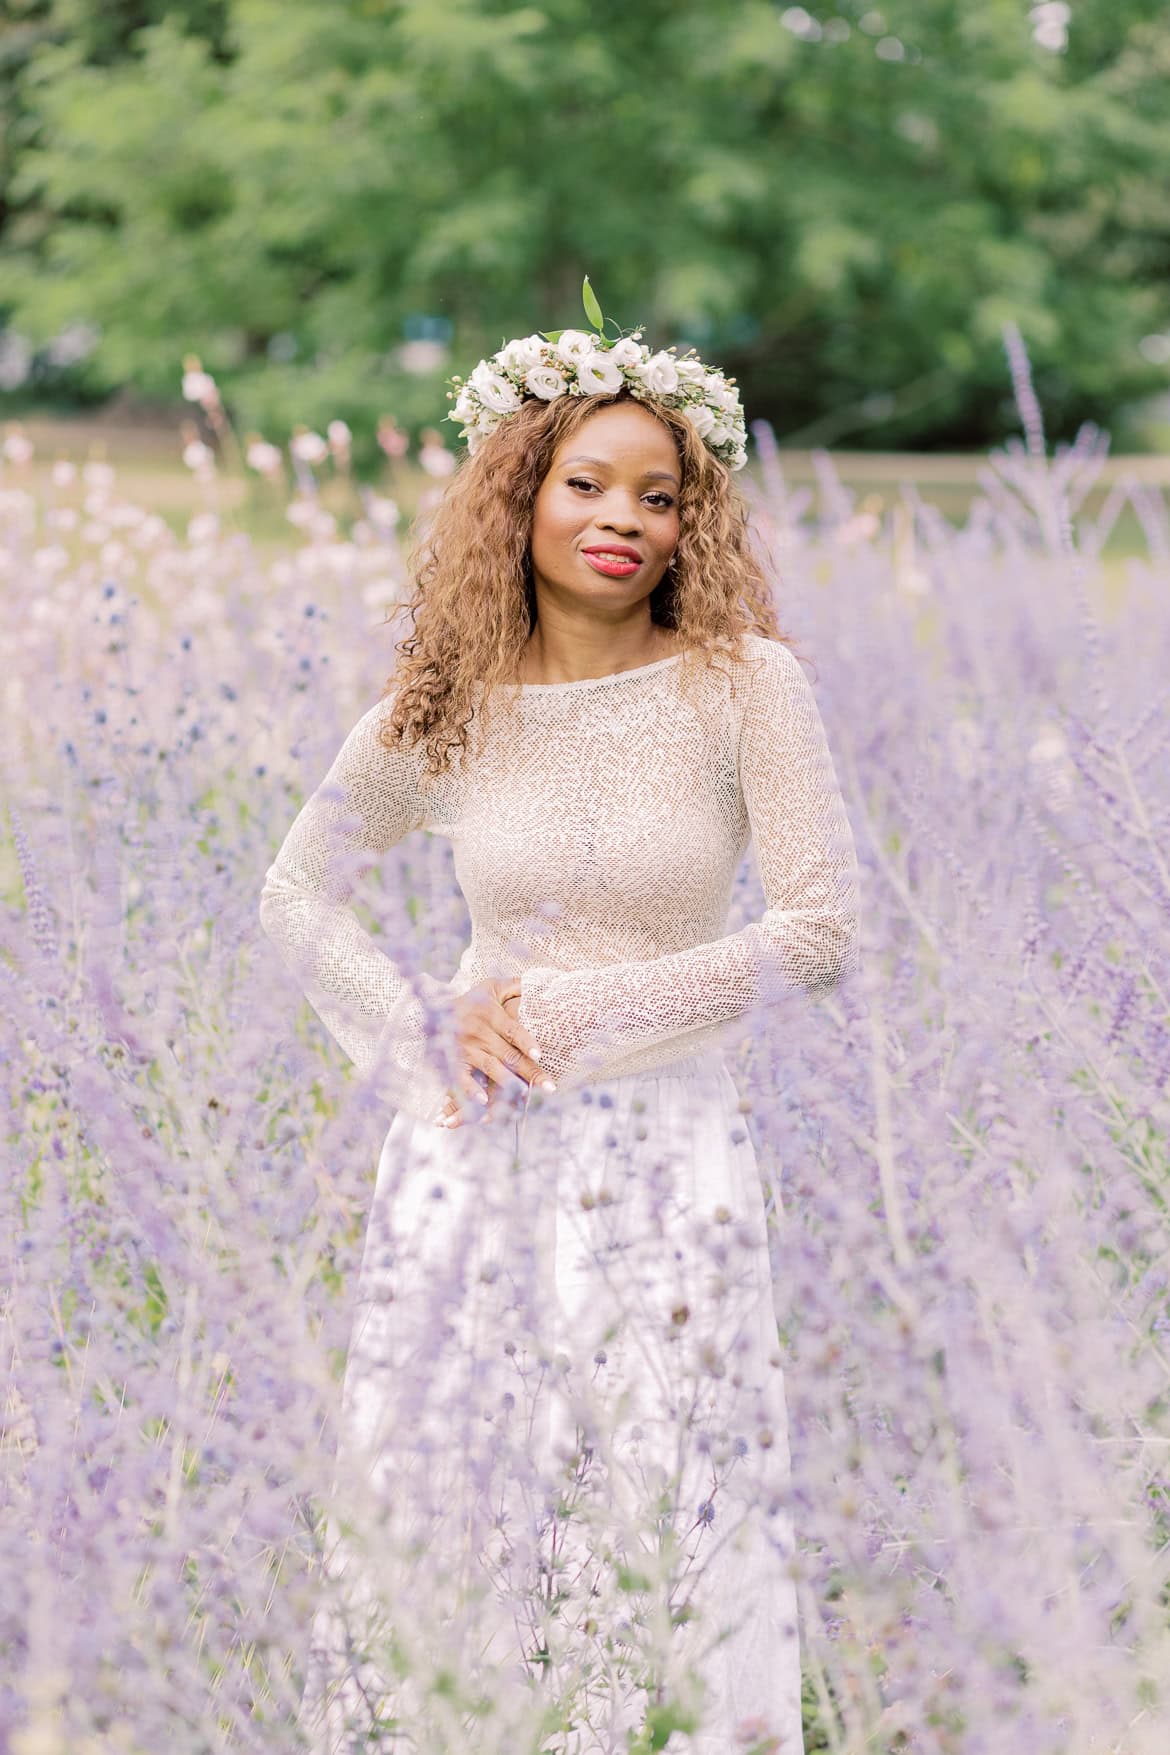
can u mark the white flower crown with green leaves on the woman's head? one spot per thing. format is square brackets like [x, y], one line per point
[580, 364]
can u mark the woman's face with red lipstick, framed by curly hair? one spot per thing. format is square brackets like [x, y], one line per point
[606, 520]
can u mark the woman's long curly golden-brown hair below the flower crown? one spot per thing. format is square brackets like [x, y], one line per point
[474, 601]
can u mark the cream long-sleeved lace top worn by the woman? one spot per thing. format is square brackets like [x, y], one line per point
[597, 838]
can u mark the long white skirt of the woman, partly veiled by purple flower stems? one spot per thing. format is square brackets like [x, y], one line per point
[560, 1519]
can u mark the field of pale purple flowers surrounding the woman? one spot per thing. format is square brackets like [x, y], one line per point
[966, 1147]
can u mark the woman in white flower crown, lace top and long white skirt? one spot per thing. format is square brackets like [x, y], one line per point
[562, 1482]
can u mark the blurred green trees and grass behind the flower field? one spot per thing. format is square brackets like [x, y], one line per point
[331, 208]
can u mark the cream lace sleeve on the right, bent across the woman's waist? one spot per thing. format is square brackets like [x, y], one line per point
[806, 940]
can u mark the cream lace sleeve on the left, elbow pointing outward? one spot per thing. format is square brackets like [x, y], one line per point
[366, 805]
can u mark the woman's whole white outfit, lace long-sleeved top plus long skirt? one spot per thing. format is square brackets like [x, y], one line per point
[562, 1479]
